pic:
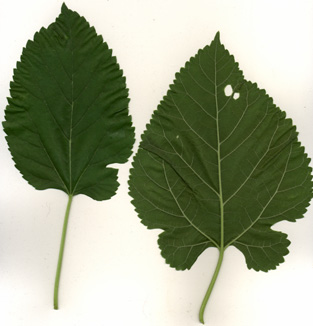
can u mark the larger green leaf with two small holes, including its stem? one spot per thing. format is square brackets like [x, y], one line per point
[218, 165]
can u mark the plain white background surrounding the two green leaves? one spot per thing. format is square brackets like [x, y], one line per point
[113, 273]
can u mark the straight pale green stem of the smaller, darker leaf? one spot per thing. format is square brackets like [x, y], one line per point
[61, 252]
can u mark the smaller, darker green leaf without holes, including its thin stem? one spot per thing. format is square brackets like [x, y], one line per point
[67, 119]
